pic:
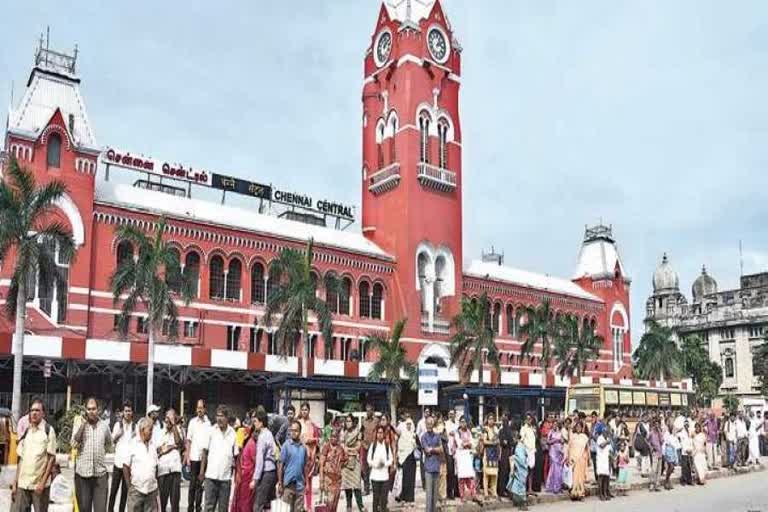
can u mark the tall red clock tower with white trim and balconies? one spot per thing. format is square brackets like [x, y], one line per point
[411, 172]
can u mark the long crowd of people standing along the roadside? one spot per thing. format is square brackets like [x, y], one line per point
[244, 465]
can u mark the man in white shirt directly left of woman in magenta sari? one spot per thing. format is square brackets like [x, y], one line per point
[217, 463]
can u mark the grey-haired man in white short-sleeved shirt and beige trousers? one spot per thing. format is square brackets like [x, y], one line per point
[140, 469]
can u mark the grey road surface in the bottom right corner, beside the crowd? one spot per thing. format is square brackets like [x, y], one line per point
[742, 493]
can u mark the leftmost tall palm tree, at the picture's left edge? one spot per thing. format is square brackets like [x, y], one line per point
[28, 232]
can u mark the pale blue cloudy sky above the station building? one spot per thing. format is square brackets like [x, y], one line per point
[650, 116]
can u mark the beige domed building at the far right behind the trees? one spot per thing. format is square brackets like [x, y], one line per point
[732, 323]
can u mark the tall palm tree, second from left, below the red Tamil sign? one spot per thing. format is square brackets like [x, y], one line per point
[150, 279]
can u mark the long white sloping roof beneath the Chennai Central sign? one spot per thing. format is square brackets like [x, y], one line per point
[233, 217]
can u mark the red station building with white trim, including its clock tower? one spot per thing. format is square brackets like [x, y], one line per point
[405, 260]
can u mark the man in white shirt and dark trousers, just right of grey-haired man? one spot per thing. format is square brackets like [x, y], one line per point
[169, 446]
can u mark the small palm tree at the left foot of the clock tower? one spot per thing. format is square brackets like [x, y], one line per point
[391, 364]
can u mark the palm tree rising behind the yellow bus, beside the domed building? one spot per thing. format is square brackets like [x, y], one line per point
[657, 356]
